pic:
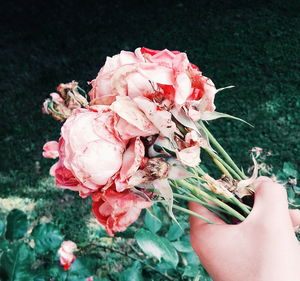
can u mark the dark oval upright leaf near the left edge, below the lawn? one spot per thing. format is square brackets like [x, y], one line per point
[16, 225]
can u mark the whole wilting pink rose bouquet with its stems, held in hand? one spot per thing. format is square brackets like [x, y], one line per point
[138, 140]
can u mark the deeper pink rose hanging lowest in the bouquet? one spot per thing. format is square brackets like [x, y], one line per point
[117, 210]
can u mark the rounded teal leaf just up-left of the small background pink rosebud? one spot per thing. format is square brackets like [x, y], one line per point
[46, 237]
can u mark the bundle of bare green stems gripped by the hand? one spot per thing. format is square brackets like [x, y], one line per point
[205, 190]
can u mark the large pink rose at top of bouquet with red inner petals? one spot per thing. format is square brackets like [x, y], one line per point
[158, 75]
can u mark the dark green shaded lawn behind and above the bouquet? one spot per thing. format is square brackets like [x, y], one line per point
[253, 45]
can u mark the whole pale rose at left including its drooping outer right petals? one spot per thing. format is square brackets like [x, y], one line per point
[94, 150]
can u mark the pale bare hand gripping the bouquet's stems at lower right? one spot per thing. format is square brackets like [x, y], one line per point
[262, 248]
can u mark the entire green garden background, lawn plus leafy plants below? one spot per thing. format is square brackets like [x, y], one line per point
[252, 45]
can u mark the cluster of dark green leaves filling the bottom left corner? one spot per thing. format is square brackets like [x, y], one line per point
[39, 261]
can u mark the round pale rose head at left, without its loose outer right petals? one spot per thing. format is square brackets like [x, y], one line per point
[90, 151]
